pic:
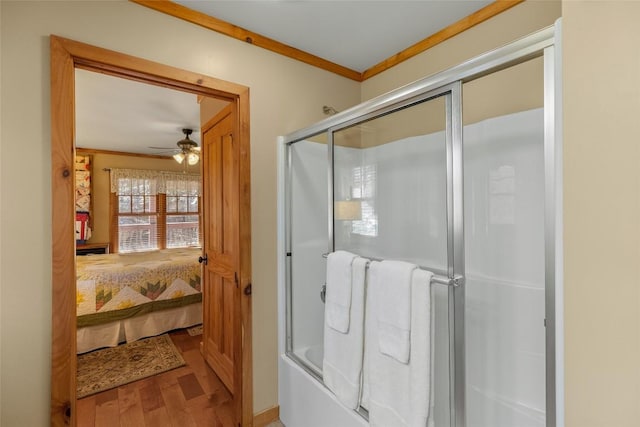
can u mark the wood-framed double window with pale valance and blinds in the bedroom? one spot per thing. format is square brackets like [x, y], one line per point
[154, 210]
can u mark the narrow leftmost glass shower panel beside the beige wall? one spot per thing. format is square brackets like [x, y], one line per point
[308, 210]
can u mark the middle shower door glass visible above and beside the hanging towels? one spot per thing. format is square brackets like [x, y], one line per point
[390, 201]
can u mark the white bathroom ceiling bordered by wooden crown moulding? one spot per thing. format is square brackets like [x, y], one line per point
[355, 34]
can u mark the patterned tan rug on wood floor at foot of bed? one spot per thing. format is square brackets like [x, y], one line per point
[109, 368]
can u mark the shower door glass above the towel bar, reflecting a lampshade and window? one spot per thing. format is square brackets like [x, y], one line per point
[390, 186]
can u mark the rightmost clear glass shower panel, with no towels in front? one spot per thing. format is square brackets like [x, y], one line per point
[505, 247]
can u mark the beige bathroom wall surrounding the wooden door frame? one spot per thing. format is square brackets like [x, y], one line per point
[285, 95]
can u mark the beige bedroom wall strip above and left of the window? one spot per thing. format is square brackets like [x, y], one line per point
[101, 185]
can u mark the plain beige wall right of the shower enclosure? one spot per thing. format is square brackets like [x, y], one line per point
[601, 63]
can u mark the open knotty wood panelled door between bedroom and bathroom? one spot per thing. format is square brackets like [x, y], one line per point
[221, 290]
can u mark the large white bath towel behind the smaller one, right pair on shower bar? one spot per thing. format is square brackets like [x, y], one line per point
[398, 394]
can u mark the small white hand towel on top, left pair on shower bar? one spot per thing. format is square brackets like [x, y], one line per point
[338, 291]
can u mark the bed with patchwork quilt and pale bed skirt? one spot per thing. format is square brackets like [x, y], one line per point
[125, 297]
